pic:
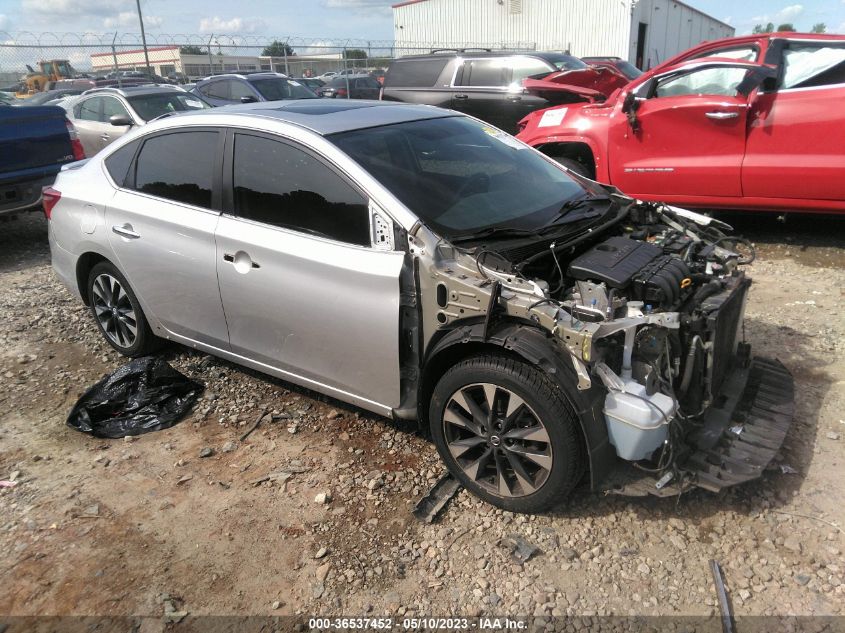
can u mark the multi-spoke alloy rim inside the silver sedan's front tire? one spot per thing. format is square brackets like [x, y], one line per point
[497, 440]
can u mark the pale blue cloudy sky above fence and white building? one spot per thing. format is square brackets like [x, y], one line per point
[358, 19]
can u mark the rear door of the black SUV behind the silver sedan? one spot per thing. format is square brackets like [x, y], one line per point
[479, 88]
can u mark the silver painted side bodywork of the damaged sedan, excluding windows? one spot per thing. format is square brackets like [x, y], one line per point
[340, 332]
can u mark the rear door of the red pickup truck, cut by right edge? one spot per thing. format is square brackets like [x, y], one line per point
[797, 131]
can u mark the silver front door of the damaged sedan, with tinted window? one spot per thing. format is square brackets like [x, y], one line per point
[304, 292]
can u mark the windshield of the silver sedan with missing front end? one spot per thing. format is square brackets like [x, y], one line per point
[461, 176]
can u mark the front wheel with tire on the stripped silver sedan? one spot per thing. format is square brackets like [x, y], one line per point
[506, 433]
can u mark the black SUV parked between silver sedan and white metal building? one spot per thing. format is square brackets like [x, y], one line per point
[484, 84]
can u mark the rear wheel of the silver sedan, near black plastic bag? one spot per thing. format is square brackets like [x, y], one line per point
[118, 313]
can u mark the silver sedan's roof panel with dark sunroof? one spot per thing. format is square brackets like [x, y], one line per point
[323, 116]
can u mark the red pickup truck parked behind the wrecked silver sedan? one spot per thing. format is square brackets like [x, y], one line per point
[754, 122]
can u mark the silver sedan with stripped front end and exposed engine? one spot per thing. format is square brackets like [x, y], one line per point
[443, 243]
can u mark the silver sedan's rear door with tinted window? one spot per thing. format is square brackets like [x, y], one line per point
[161, 228]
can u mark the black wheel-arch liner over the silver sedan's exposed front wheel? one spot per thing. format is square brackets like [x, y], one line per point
[538, 348]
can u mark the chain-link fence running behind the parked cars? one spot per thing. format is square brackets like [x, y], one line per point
[29, 61]
